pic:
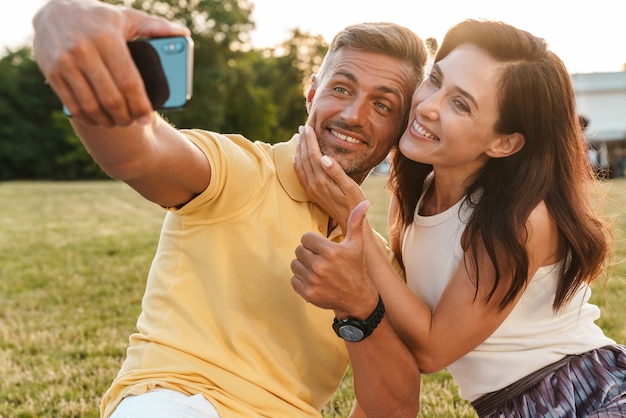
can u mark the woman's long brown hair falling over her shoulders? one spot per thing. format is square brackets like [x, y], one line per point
[536, 99]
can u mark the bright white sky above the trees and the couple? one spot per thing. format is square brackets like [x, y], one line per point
[590, 36]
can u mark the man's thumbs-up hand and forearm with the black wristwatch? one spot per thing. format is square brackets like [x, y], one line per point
[386, 377]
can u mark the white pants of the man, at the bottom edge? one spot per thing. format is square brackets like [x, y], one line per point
[165, 403]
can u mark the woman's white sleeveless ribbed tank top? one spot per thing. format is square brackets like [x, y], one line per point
[531, 337]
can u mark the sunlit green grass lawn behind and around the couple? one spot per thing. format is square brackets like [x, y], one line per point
[73, 264]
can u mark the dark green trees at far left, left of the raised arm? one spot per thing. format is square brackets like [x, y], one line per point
[36, 140]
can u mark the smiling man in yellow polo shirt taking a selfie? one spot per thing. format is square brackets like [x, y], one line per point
[222, 332]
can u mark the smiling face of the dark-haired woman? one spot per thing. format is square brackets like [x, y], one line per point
[454, 112]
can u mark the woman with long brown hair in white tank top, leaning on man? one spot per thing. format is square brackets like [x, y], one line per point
[492, 219]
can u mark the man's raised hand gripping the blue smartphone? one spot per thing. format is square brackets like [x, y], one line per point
[86, 60]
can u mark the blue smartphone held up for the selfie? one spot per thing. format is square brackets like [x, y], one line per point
[166, 67]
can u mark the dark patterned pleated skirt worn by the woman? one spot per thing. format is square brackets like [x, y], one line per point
[592, 384]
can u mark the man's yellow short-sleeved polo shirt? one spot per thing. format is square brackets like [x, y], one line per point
[219, 316]
